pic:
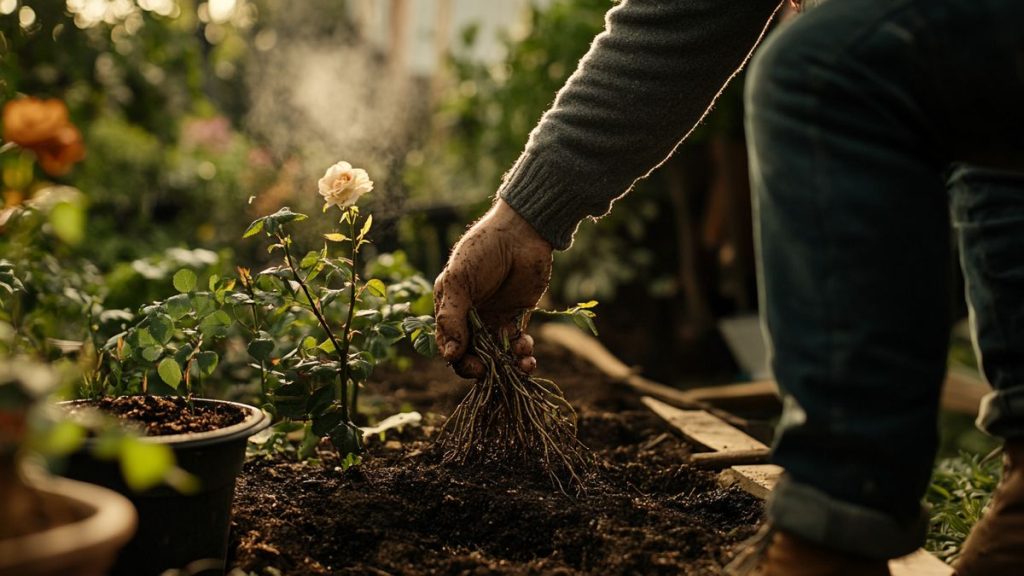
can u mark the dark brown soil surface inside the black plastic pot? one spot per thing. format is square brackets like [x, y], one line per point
[163, 416]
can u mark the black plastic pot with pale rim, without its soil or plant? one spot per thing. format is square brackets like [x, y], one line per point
[179, 531]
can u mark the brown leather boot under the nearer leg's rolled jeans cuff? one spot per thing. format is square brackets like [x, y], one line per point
[787, 555]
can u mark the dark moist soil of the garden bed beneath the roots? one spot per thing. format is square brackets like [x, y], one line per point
[646, 511]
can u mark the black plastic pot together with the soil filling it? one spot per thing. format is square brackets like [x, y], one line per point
[184, 523]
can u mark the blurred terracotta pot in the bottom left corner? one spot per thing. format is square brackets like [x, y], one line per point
[87, 547]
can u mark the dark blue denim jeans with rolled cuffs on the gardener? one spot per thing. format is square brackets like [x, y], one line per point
[858, 113]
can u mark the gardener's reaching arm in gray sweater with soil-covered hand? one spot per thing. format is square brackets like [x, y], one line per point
[647, 81]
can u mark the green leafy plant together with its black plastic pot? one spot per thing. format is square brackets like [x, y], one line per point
[185, 516]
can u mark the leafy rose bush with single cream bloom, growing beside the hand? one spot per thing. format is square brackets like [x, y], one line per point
[323, 319]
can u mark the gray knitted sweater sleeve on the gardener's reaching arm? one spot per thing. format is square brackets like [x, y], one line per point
[644, 86]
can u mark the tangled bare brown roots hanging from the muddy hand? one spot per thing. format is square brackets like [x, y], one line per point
[509, 419]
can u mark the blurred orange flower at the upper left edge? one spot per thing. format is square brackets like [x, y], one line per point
[44, 128]
